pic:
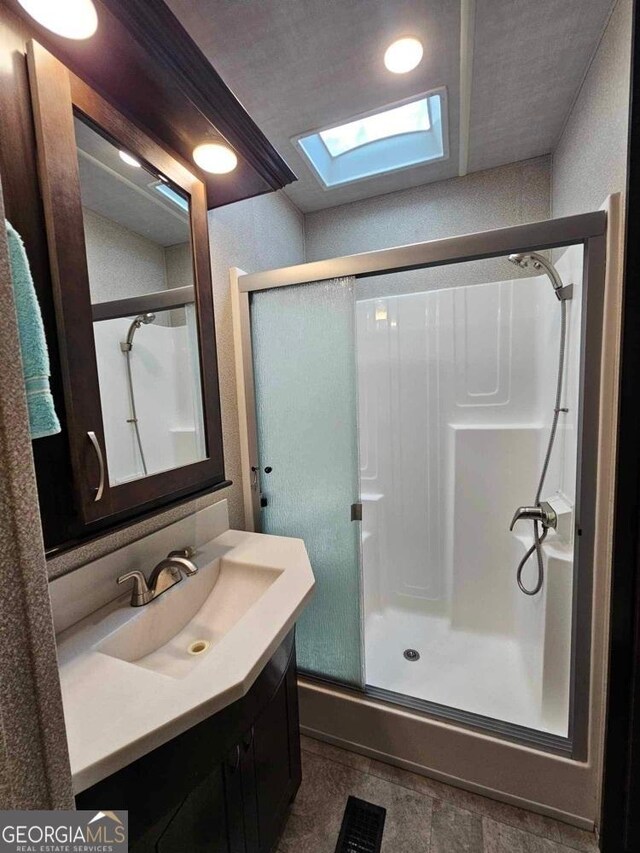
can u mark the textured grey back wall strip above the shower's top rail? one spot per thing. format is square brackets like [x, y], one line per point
[508, 195]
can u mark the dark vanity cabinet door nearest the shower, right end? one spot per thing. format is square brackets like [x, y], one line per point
[276, 754]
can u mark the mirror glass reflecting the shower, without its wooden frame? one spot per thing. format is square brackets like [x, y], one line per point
[141, 279]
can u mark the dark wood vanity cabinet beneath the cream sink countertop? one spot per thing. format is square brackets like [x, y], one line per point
[223, 786]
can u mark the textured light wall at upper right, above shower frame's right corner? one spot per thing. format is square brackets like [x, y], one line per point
[590, 159]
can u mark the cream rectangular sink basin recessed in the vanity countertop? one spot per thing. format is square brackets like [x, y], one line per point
[174, 633]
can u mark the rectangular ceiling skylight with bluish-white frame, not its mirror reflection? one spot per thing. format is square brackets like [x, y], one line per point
[396, 137]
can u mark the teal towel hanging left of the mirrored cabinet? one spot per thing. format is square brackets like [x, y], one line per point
[33, 346]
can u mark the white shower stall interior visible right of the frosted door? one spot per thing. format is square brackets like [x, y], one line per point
[457, 385]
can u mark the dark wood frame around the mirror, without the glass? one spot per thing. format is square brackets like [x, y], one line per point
[56, 95]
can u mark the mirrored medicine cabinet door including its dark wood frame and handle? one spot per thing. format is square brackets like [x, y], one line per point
[129, 255]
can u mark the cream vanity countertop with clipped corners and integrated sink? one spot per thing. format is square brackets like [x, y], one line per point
[129, 682]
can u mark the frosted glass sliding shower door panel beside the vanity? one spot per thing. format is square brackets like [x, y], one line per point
[305, 376]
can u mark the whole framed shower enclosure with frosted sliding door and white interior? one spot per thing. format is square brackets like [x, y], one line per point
[402, 406]
